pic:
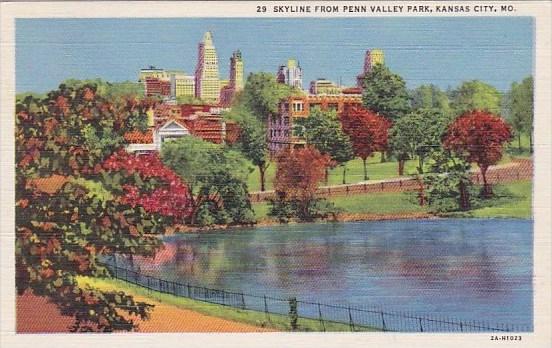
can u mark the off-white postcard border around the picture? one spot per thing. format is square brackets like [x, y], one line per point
[540, 10]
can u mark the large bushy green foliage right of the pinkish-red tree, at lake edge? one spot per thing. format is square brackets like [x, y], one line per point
[216, 176]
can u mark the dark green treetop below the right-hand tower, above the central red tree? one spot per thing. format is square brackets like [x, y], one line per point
[385, 93]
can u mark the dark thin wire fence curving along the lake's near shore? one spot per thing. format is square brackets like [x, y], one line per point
[327, 317]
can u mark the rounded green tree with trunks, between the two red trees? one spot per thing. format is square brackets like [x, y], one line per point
[417, 134]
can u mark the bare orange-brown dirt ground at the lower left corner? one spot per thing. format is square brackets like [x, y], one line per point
[36, 315]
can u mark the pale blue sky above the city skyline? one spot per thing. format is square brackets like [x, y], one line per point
[442, 51]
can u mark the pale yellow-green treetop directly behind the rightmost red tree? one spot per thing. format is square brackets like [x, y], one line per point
[475, 95]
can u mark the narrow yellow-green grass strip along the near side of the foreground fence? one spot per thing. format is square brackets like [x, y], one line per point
[257, 318]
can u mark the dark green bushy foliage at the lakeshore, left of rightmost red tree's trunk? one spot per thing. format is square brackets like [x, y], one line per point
[447, 187]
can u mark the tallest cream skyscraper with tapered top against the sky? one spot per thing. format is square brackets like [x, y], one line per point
[207, 82]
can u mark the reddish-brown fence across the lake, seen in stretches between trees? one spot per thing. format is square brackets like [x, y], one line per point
[521, 169]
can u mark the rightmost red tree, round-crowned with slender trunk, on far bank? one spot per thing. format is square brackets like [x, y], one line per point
[478, 136]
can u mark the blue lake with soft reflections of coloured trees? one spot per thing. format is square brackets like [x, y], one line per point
[462, 268]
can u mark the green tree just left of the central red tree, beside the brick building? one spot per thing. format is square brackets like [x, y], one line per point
[323, 131]
